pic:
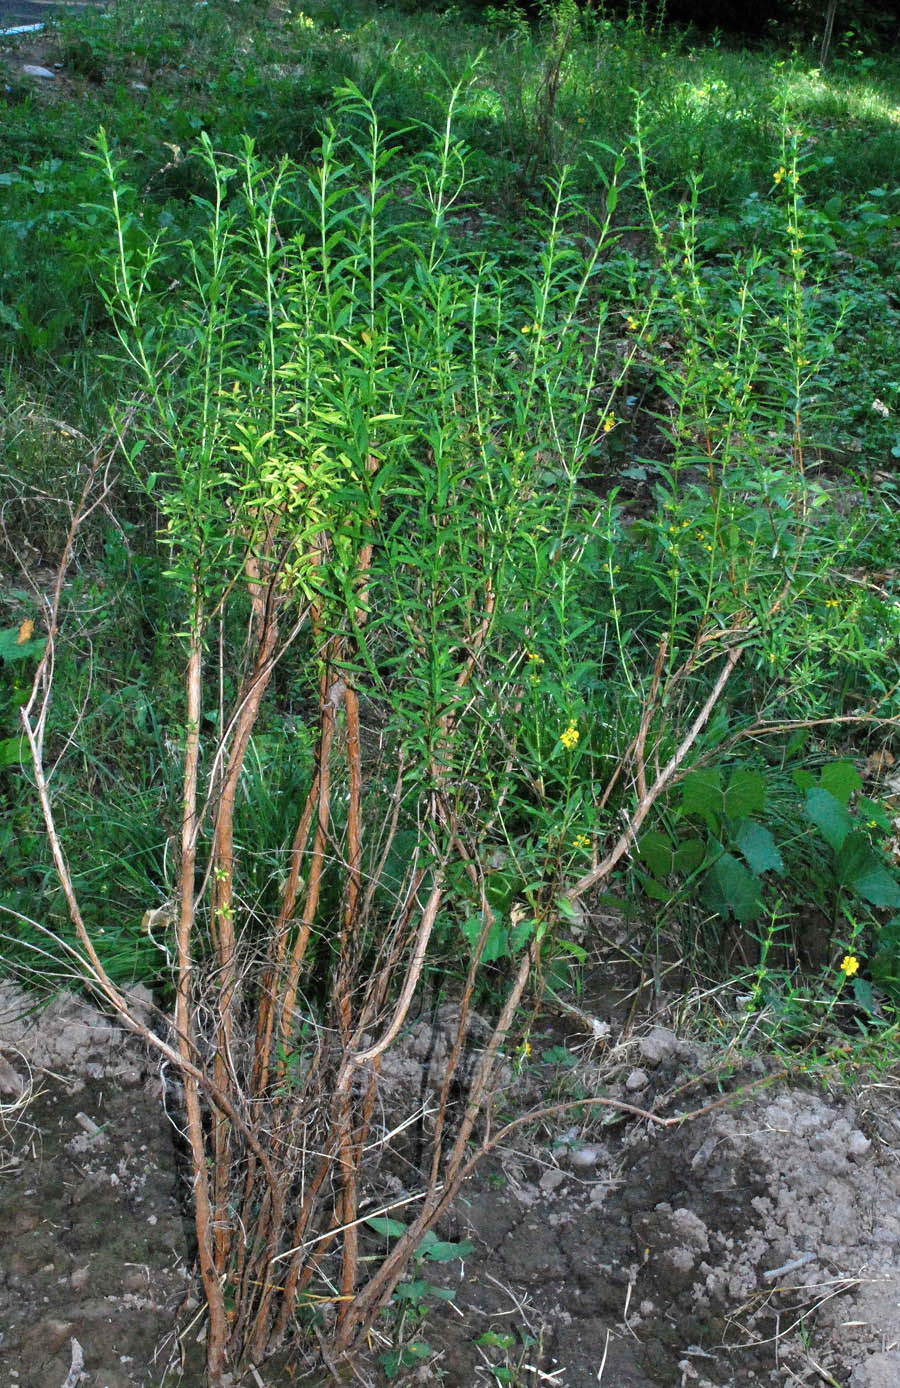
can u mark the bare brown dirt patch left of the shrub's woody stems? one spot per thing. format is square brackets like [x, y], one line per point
[94, 1246]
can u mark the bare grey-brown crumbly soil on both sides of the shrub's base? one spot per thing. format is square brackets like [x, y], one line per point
[758, 1244]
